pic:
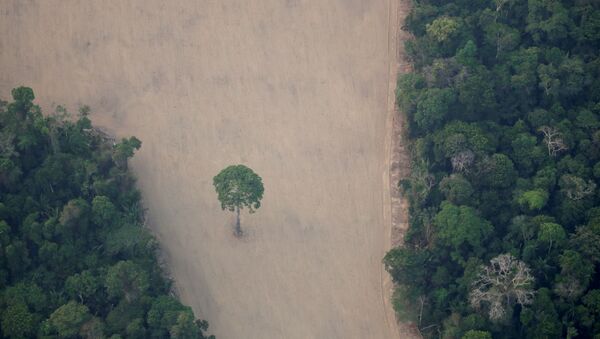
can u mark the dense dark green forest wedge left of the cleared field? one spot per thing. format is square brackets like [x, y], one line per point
[76, 260]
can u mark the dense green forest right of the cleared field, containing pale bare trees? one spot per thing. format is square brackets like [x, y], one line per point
[503, 110]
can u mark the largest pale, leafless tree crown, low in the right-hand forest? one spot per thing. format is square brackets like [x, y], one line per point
[504, 283]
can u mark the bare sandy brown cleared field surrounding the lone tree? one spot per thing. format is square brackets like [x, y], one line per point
[295, 89]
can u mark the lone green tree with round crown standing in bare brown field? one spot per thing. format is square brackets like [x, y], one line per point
[238, 187]
